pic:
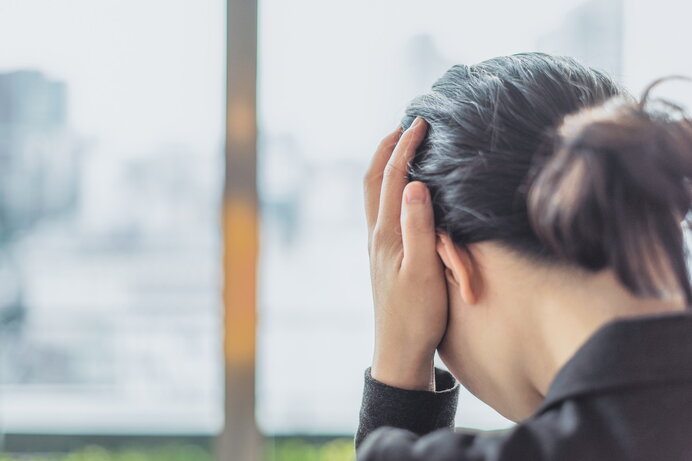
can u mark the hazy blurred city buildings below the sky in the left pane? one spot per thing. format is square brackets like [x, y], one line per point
[109, 275]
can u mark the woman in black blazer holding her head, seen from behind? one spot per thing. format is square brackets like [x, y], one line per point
[528, 226]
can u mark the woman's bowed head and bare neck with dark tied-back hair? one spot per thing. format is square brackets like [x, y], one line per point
[545, 174]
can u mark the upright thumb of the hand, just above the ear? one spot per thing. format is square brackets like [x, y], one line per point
[418, 226]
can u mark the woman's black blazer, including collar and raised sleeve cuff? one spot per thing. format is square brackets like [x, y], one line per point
[626, 394]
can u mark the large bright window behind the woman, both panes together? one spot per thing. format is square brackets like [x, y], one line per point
[111, 171]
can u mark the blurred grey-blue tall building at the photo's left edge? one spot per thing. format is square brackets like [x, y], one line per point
[38, 157]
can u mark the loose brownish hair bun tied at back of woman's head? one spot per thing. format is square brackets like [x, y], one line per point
[615, 191]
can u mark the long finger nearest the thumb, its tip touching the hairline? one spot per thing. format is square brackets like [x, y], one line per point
[394, 176]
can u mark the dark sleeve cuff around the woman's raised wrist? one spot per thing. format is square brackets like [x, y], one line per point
[418, 411]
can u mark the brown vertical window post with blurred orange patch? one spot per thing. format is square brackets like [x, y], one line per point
[240, 439]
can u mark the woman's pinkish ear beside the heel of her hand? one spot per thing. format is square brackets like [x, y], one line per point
[459, 267]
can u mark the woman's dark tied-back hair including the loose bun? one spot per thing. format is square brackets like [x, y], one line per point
[556, 161]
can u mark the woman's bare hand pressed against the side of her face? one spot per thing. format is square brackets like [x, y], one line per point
[408, 284]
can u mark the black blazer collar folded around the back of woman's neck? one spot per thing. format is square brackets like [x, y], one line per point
[627, 352]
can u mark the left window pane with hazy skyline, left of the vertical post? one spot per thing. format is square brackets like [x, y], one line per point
[111, 153]
